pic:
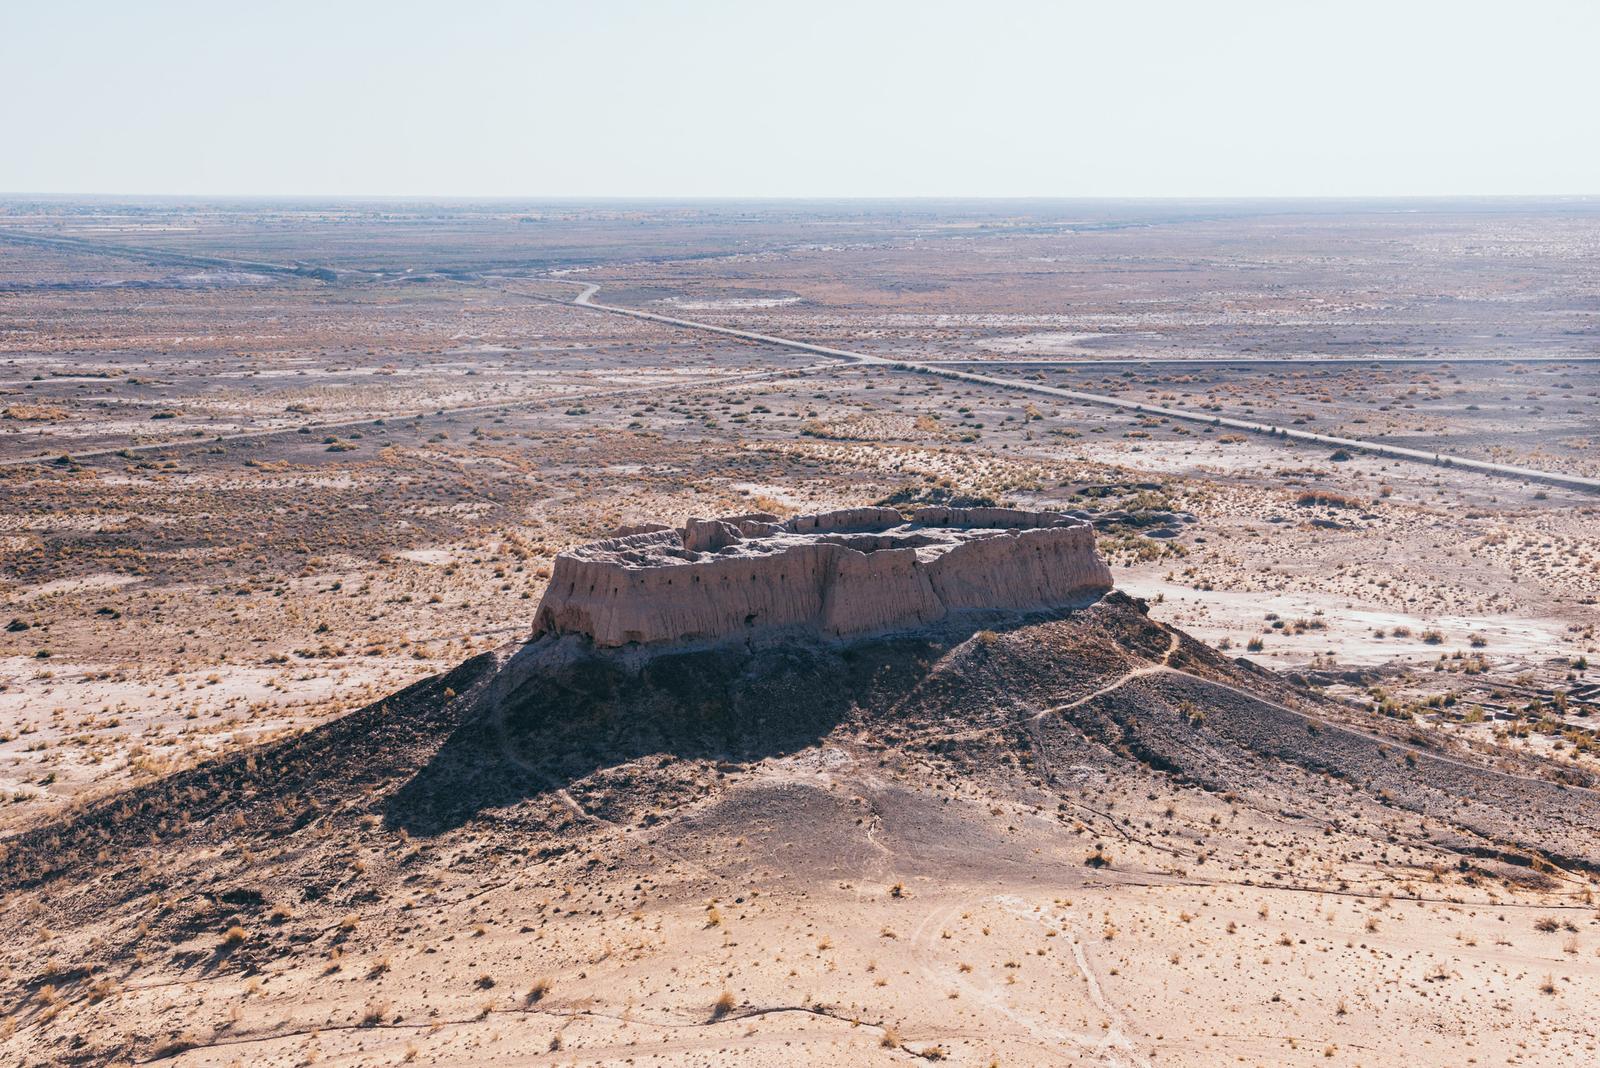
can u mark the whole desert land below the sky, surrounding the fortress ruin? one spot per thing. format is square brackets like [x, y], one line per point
[282, 485]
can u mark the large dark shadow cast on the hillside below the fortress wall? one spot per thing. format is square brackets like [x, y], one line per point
[598, 712]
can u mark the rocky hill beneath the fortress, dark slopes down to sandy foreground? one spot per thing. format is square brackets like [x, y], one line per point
[601, 853]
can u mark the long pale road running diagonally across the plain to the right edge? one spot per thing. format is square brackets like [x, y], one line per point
[946, 370]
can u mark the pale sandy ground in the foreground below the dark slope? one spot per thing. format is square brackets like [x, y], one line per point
[1284, 944]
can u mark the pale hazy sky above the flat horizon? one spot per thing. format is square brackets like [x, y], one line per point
[802, 98]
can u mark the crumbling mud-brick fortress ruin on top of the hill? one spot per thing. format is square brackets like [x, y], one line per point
[831, 575]
